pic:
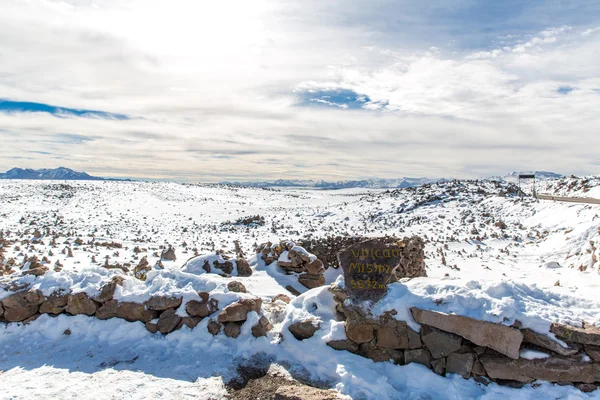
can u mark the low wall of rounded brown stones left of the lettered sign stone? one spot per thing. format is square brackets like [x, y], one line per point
[157, 313]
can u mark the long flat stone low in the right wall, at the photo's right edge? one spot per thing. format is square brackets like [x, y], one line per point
[552, 369]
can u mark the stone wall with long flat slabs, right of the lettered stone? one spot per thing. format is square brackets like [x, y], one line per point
[486, 351]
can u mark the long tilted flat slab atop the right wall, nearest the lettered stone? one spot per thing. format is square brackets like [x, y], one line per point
[504, 339]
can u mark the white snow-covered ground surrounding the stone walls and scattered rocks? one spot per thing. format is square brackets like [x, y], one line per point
[490, 255]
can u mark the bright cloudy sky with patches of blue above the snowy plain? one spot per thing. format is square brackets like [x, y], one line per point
[257, 90]
